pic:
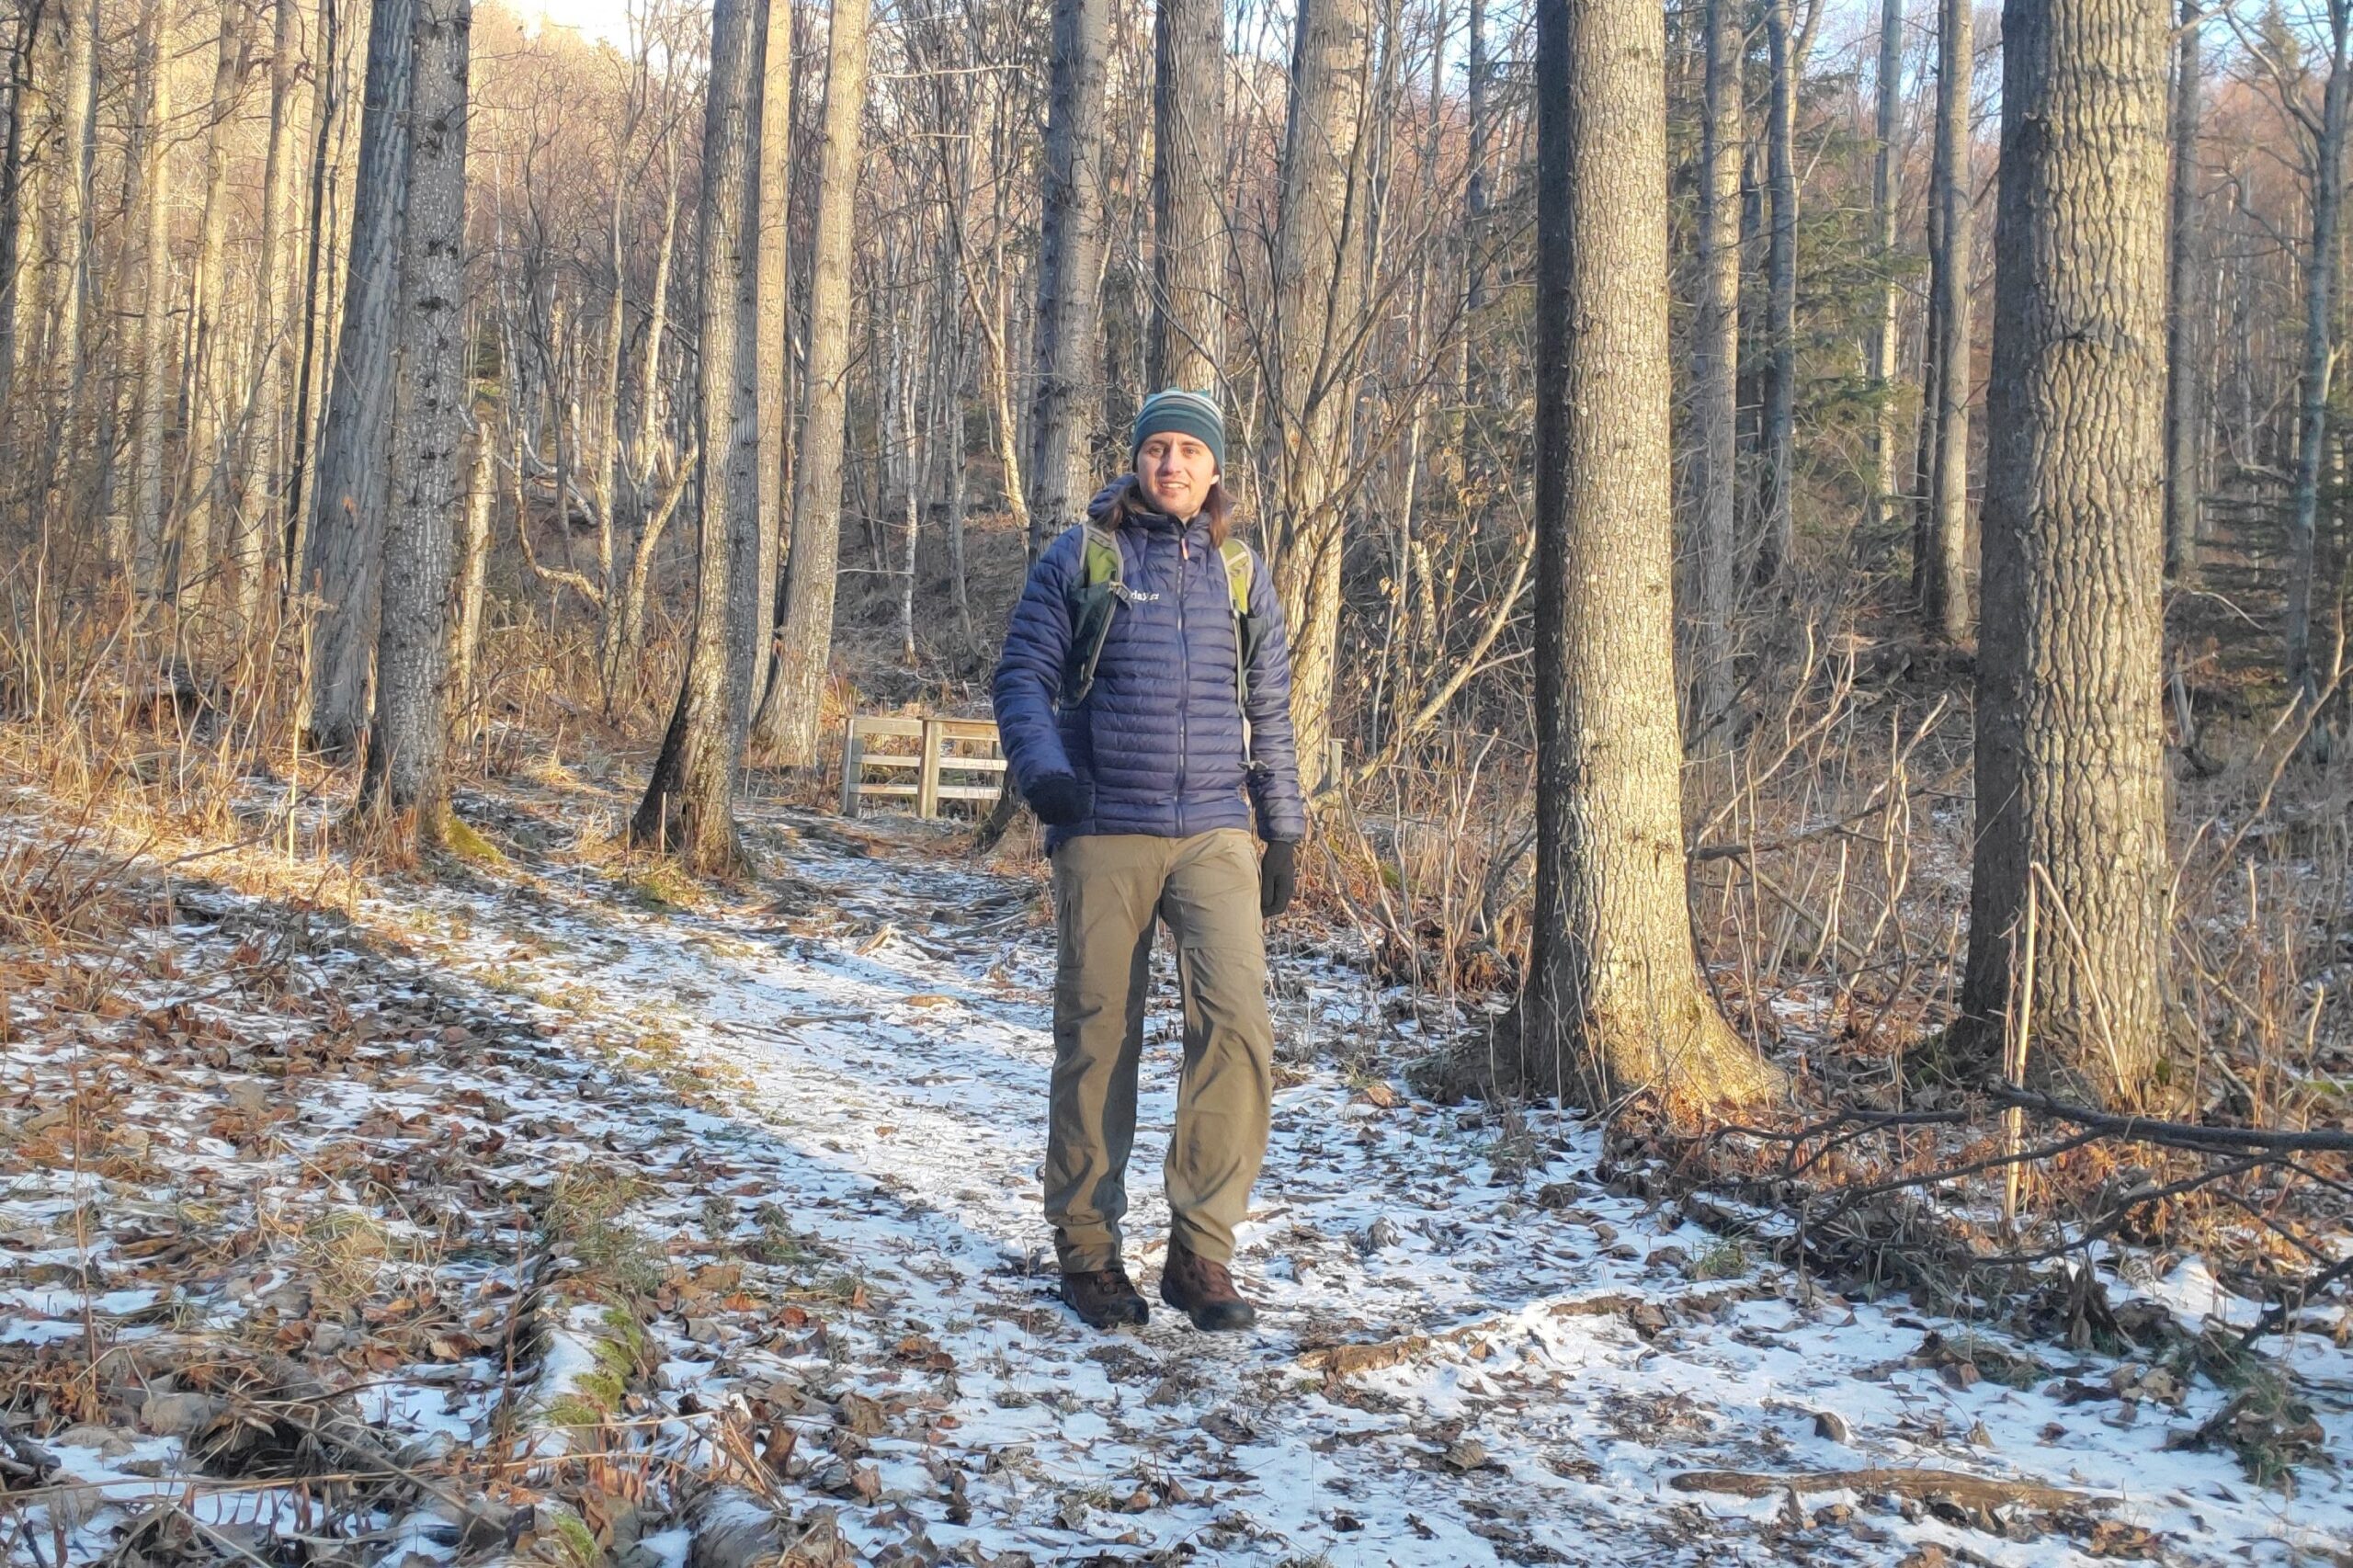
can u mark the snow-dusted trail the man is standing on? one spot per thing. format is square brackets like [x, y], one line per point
[1524, 1360]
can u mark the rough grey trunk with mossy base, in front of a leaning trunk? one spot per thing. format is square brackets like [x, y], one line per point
[408, 740]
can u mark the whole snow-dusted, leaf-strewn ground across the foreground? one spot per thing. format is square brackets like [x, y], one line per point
[545, 1209]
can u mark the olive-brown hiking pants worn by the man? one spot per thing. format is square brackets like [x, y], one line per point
[1109, 891]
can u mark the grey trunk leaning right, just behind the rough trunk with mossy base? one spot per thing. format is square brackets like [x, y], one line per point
[354, 477]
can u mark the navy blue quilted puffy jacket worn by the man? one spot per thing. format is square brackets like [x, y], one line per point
[1159, 738]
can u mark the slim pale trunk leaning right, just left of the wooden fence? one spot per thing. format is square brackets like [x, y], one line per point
[806, 644]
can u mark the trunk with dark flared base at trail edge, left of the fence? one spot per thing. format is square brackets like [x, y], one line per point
[691, 799]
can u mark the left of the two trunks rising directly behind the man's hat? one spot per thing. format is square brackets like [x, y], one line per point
[1069, 265]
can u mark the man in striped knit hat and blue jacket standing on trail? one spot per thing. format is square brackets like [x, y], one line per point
[1145, 705]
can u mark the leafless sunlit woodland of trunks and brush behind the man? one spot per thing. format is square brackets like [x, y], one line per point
[413, 397]
